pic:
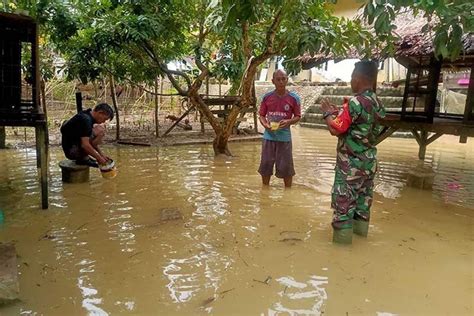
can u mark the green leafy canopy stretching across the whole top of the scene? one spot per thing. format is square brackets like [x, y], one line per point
[135, 39]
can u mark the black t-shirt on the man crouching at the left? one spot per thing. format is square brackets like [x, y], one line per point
[80, 125]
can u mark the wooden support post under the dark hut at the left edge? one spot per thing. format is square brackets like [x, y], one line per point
[42, 161]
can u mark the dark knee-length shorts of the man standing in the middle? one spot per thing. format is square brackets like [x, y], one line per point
[279, 154]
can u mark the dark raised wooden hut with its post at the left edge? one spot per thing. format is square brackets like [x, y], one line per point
[19, 85]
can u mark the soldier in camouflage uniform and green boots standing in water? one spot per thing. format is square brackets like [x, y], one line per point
[356, 126]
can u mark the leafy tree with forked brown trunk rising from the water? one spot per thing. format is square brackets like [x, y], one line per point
[226, 39]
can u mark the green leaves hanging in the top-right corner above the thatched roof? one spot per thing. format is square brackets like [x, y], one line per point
[453, 19]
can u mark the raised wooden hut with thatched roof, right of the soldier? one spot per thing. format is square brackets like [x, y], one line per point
[420, 111]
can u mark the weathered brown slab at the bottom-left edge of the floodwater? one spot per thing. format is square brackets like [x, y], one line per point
[9, 284]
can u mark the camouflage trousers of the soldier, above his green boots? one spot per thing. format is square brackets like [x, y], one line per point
[351, 198]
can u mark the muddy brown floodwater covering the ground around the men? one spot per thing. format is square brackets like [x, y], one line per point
[240, 249]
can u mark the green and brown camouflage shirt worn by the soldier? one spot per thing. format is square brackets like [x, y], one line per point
[356, 152]
